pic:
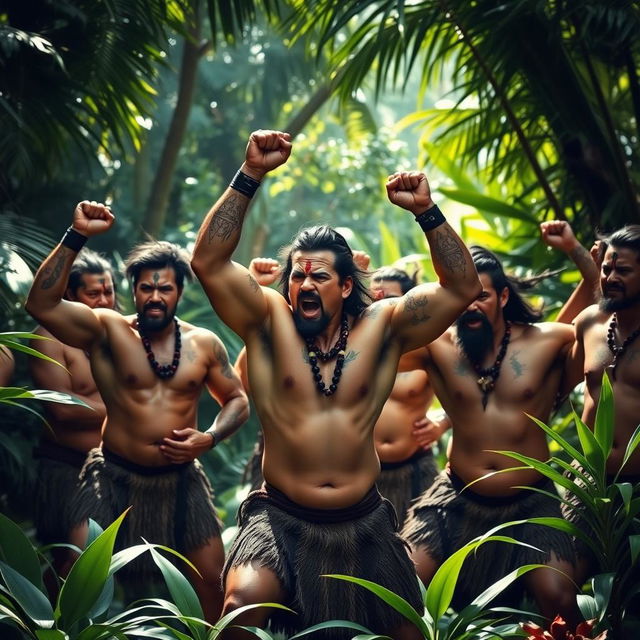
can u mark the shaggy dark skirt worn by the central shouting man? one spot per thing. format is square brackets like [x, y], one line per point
[300, 544]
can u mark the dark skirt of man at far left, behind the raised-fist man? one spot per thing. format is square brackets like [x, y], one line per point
[57, 473]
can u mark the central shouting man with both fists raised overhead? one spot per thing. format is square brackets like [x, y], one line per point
[310, 353]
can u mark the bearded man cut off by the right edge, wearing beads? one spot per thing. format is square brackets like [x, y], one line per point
[607, 338]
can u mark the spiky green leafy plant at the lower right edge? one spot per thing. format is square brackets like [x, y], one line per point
[608, 507]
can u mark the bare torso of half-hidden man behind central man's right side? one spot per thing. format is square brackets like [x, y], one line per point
[410, 398]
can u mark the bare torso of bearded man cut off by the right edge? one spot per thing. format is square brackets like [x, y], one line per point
[597, 357]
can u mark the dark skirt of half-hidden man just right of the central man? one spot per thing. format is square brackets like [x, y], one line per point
[402, 482]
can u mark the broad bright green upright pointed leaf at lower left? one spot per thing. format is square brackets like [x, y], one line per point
[87, 577]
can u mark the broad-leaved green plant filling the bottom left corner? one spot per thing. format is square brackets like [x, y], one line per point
[82, 605]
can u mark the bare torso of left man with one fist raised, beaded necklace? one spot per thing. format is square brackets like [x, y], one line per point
[142, 408]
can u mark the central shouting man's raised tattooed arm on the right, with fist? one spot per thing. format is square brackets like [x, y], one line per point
[426, 311]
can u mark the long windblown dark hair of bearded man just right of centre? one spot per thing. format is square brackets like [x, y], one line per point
[517, 308]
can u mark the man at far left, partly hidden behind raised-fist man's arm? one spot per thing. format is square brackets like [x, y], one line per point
[75, 430]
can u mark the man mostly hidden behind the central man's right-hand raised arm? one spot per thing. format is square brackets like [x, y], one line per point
[403, 435]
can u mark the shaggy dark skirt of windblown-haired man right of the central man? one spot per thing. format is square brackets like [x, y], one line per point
[445, 518]
